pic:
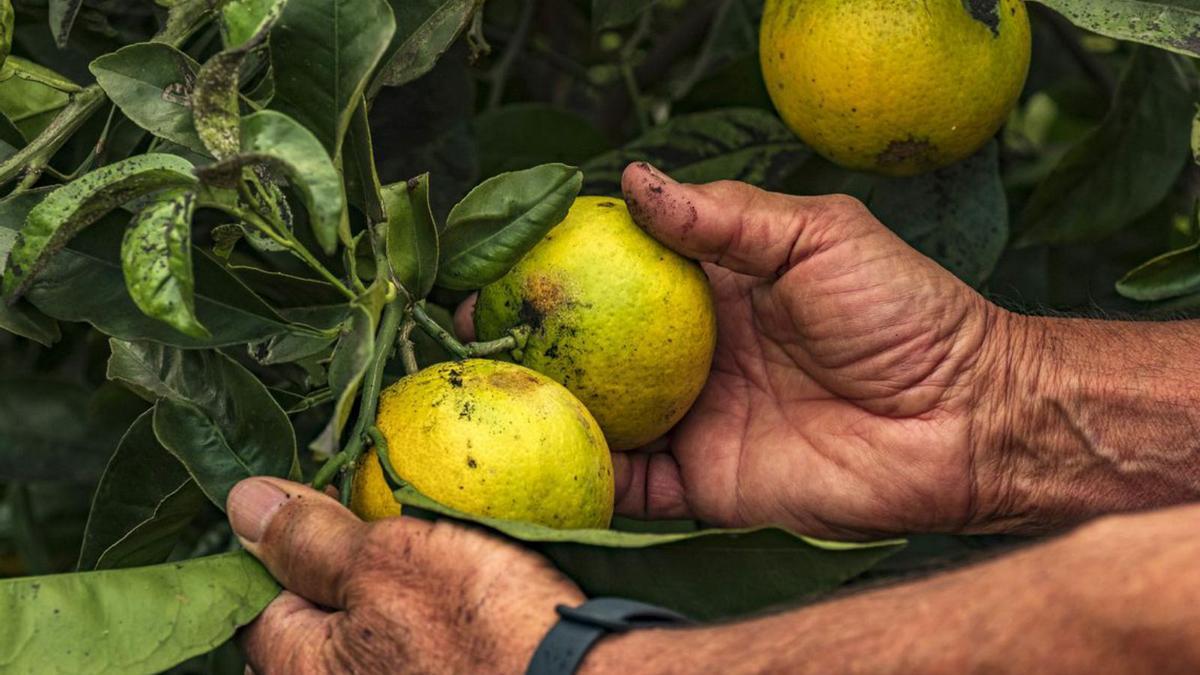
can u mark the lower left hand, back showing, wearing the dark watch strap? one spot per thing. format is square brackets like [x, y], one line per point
[400, 595]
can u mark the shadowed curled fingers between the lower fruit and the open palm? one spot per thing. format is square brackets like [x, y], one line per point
[650, 486]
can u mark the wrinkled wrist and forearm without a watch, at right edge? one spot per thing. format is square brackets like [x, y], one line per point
[1097, 417]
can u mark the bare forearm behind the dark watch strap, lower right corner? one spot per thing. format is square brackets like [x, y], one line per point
[1118, 598]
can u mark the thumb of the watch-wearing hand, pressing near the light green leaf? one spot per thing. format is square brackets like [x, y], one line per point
[305, 539]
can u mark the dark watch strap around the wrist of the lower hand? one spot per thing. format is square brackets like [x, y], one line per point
[580, 629]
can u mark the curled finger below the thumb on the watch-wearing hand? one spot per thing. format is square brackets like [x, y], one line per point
[286, 636]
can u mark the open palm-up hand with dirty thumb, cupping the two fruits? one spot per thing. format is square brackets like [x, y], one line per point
[851, 373]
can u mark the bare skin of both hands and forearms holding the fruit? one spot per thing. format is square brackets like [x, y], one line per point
[859, 390]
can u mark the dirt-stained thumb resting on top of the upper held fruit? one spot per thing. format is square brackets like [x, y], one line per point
[739, 226]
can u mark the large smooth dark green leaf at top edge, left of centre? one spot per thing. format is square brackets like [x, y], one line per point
[323, 52]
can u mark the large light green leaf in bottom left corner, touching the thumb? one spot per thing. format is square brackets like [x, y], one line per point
[125, 622]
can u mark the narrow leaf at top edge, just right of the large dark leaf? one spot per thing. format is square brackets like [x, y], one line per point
[425, 29]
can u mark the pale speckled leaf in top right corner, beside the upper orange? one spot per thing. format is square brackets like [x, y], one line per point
[1168, 25]
